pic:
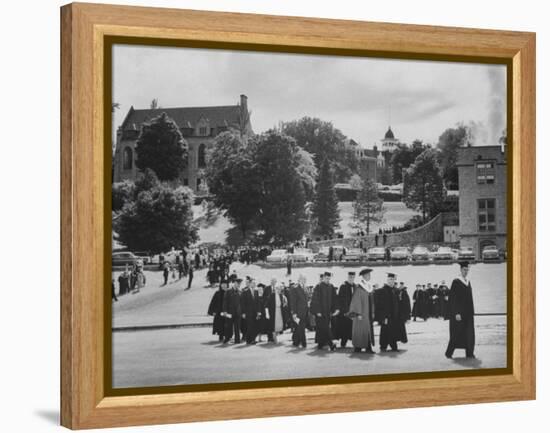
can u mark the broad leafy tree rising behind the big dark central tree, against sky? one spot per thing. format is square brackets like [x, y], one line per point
[324, 141]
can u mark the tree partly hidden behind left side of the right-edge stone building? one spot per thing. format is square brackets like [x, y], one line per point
[448, 144]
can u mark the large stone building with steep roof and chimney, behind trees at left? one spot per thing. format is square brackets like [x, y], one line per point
[198, 125]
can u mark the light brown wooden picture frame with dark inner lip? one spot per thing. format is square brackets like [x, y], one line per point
[84, 218]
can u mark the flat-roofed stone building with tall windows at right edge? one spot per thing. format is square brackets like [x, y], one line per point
[482, 184]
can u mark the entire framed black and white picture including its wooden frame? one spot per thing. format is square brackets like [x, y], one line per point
[267, 216]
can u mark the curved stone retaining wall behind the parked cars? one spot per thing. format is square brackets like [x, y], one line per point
[431, 232]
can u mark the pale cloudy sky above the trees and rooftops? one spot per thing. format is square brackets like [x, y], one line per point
[360, 96]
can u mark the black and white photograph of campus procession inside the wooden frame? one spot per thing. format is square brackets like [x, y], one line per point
[280, 216]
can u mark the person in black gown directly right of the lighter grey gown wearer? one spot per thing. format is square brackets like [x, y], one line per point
[387, 314]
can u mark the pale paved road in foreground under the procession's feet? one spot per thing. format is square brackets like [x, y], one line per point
[191, 356]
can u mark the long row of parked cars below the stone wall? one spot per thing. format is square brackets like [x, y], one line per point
[419, 253]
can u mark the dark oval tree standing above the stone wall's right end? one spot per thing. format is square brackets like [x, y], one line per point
[425, 190]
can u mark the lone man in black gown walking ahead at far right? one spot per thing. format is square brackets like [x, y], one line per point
[461, 312]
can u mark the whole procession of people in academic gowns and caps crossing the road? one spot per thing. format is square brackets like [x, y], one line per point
[245, 311]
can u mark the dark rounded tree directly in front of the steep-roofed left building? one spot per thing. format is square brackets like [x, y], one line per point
[161, 148]
